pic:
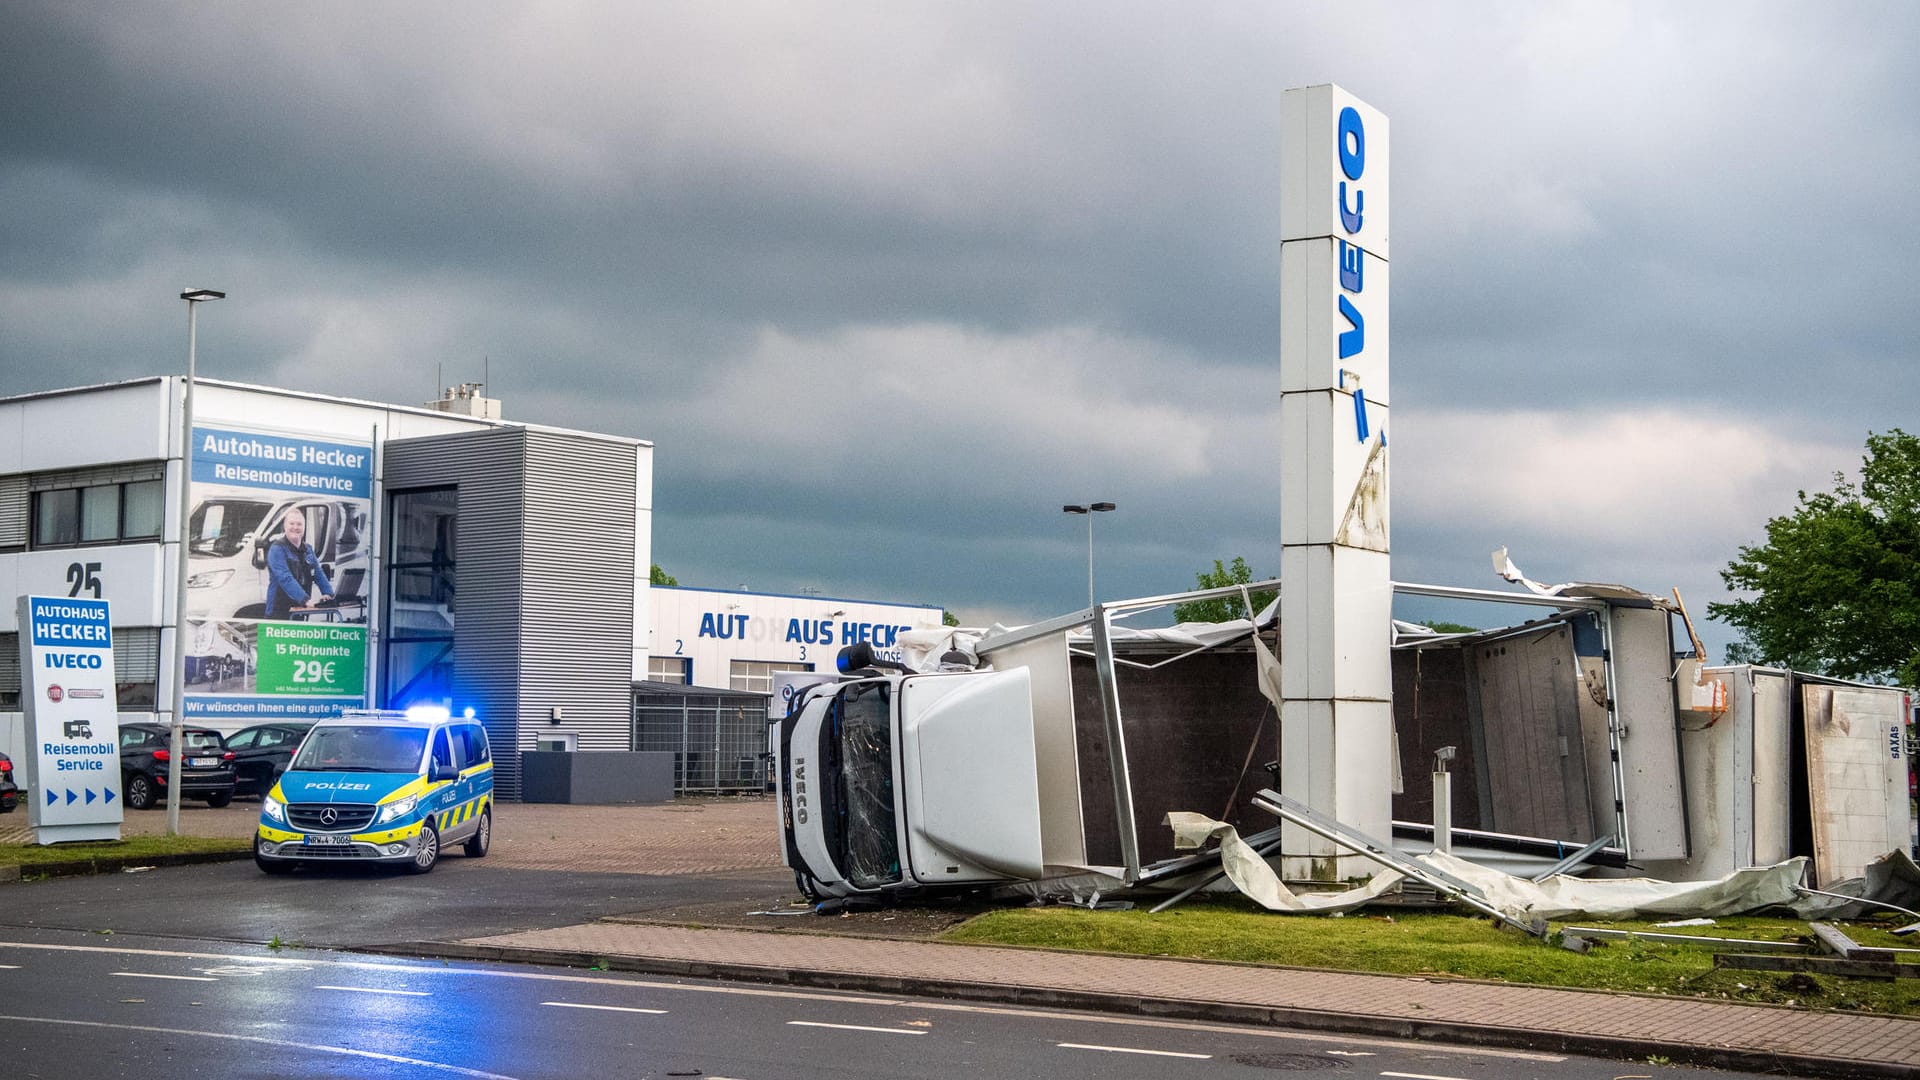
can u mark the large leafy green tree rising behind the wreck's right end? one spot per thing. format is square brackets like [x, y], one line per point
[1836, 585]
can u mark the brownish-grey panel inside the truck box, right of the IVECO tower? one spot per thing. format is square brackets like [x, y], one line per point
[1535, 758]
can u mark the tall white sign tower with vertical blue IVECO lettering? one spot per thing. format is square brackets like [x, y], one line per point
[1337, 714]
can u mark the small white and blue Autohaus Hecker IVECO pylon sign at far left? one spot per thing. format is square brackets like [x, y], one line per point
[68, 697]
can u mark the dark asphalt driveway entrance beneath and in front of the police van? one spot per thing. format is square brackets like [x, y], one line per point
[364, 906]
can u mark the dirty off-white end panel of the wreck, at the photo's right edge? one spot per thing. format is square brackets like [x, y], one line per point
[1858, 779]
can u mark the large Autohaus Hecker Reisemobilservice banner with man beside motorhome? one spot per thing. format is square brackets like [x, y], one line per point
[281, 545]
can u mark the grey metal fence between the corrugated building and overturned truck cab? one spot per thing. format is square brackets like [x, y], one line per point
[717, 737]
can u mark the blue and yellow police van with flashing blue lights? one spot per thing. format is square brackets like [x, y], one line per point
[381, 787]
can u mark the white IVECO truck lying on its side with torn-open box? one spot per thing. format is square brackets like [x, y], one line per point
[1059, 750]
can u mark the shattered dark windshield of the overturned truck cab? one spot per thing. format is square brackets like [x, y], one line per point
[859, 750]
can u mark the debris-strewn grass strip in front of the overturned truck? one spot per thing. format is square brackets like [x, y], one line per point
[1452, 946]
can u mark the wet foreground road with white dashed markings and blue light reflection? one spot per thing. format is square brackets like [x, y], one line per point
[128, 1006]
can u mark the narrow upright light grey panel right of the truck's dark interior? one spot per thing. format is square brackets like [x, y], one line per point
[1650, 737]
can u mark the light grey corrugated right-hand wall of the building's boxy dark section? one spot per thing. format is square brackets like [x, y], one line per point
[579, 587]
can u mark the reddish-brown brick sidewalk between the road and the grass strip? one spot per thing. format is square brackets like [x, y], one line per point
[1529, 1018]
